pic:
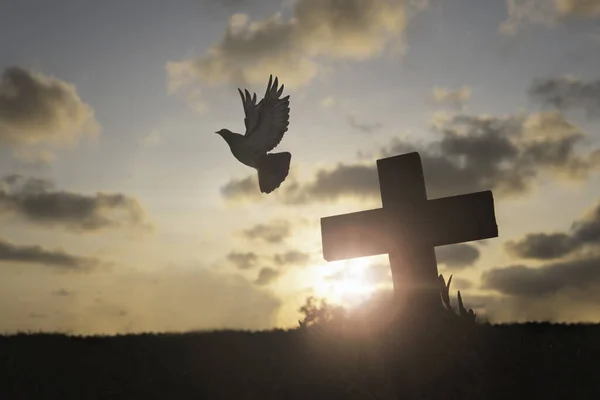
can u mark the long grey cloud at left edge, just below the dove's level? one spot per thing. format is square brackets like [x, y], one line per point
[36, 201]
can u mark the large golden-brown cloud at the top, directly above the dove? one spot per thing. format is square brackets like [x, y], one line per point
[294, 49]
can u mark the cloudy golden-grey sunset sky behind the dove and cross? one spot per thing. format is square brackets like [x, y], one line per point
[122, 211]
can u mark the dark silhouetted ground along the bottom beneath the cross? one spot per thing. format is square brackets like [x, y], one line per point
[535, 360]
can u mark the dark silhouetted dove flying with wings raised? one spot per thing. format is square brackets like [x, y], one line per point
[266, 123]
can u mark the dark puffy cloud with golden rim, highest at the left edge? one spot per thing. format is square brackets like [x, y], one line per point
[36, 108]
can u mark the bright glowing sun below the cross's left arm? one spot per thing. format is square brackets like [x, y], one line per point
[345, 282]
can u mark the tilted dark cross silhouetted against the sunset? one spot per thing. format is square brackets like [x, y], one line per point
[408, 227]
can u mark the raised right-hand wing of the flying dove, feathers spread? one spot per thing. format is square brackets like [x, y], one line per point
[270, 119]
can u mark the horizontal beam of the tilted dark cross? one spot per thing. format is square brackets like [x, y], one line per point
[440, 222]
